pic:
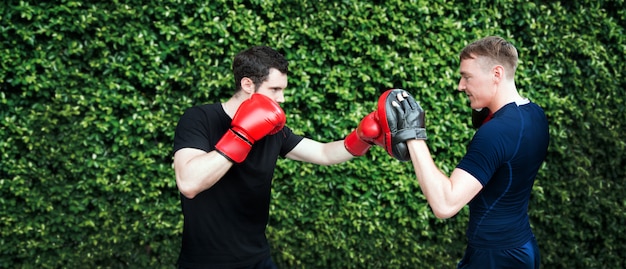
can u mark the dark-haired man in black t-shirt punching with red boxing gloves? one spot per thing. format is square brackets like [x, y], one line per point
[224, 159]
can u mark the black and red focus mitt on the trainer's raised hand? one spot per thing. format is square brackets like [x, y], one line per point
[402, 119]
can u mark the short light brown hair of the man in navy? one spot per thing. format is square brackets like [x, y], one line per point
[495, 49]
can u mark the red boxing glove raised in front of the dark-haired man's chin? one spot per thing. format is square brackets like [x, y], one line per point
[256, 117]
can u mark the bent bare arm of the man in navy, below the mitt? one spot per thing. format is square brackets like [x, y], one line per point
[446, 195]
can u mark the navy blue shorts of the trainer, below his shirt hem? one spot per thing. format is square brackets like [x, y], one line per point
[524, 257]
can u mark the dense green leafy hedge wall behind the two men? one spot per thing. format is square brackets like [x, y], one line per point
[91, 92]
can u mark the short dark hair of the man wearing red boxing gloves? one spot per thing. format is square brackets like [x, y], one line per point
[255, 63]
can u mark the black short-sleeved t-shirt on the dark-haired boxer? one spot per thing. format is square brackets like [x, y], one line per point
[224, 226]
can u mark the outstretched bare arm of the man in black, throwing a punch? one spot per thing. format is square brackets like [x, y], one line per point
[320, 153]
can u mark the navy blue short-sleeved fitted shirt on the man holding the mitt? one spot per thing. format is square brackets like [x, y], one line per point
[505, 155]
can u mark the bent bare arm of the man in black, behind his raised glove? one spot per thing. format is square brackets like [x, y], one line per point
[197, 170]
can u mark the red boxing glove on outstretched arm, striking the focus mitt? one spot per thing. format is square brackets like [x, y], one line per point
[359, 141]
